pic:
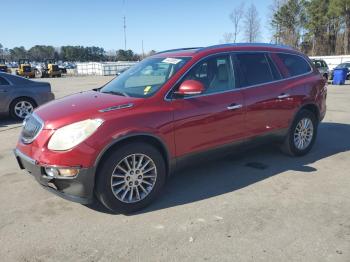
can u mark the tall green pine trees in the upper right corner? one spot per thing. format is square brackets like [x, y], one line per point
[316, 27]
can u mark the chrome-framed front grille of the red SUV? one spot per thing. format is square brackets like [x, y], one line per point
[32, 126]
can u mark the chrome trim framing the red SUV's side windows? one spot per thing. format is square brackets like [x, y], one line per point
[239, 88]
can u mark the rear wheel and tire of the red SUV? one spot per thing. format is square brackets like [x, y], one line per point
[291, 146]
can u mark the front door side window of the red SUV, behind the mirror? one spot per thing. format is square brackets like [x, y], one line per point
[214, 73]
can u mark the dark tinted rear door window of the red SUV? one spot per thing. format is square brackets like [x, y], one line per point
[254, 69]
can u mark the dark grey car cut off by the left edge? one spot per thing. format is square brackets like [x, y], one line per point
[19, 96]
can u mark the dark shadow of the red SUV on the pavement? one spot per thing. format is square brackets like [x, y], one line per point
[213, 178]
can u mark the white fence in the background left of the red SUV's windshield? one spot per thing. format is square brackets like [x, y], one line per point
[103, 69]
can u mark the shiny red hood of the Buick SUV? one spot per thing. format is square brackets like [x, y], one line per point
[82, 106]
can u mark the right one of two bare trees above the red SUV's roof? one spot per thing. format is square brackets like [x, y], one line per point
[252, 24]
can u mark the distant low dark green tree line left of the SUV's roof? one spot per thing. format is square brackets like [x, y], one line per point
[40, 53]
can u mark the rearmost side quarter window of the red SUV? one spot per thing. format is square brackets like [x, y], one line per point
[295, 64]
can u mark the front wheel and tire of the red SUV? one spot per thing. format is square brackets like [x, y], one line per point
[112, 197]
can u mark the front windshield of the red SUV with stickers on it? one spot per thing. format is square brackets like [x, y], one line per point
[145, 78]
